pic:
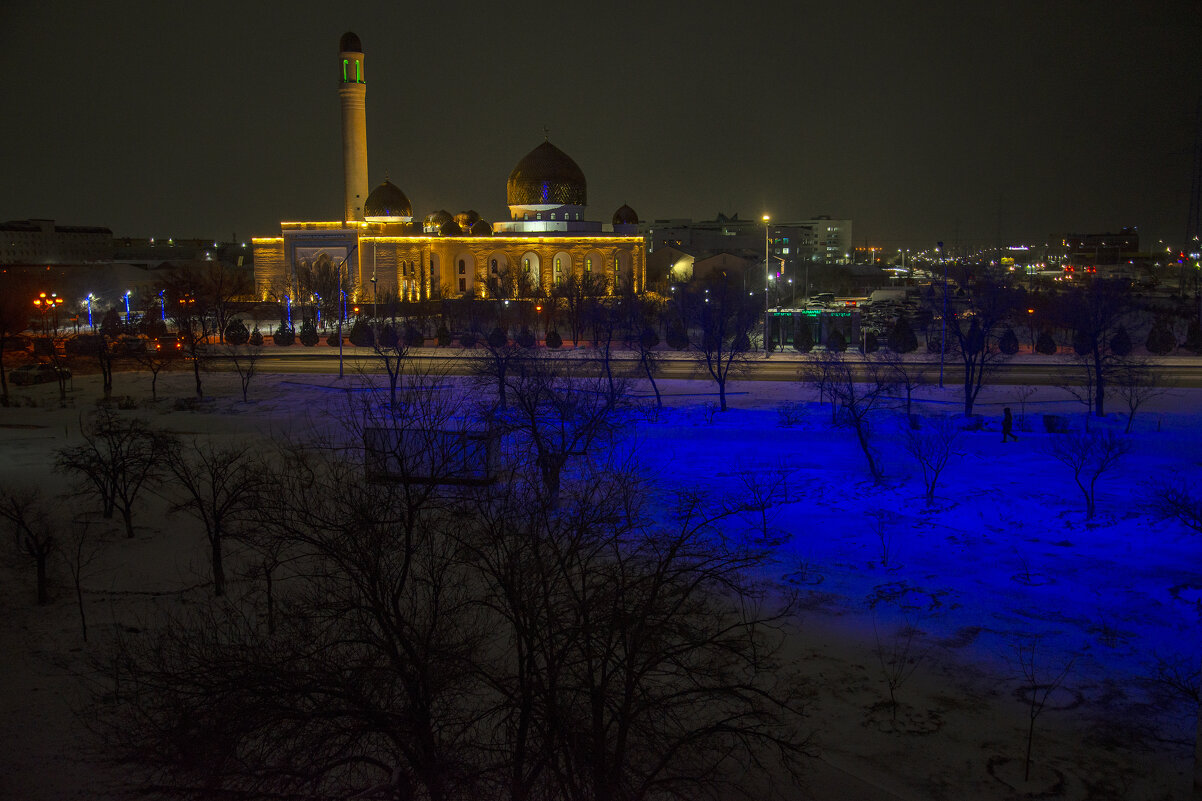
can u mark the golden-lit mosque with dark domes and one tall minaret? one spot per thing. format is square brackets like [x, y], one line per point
[388, 252]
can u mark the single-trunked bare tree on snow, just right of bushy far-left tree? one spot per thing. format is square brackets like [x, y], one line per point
[219, 488]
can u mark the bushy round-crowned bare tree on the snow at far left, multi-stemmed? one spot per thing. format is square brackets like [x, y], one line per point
[118, 460]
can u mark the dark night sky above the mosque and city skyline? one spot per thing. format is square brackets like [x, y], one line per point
[920, 122]
